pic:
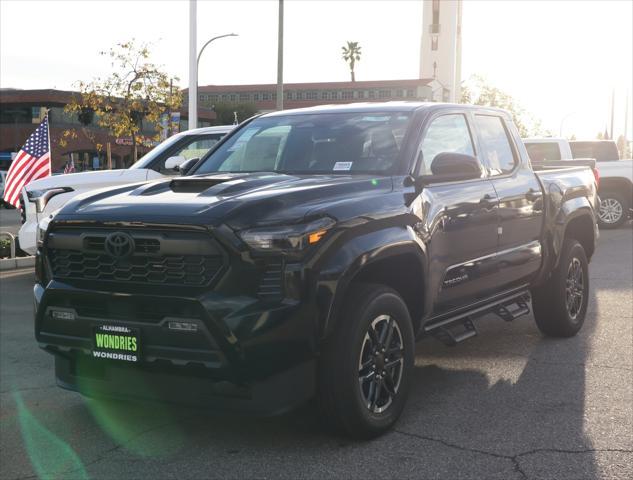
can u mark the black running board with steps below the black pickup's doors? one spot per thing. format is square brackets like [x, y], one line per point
[457, 328]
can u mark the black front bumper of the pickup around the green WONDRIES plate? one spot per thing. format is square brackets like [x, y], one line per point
[246, 354]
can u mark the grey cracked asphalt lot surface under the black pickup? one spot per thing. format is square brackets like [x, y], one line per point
[508, 404]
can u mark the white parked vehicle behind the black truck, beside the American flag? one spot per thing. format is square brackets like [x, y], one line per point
[44, 196]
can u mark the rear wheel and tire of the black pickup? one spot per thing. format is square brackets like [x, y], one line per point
[559, 311]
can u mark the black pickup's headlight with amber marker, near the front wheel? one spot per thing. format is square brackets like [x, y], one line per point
[287, 238]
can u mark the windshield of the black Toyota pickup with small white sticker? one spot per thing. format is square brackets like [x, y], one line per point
[313, 143]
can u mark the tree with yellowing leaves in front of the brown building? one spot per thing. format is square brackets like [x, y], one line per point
[136, 90]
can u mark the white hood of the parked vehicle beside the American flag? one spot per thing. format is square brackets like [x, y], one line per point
[90, 180]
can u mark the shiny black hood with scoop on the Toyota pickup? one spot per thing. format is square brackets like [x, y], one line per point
[239, 200]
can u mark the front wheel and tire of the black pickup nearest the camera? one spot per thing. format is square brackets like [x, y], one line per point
[346, 403]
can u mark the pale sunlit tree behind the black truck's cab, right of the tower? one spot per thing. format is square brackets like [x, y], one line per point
[478, 91]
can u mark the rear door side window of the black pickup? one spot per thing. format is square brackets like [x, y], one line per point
[495, 144]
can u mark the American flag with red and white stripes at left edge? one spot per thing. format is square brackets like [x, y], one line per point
[32, 162]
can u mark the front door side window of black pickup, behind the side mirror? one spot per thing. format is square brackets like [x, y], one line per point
[446, 134]
